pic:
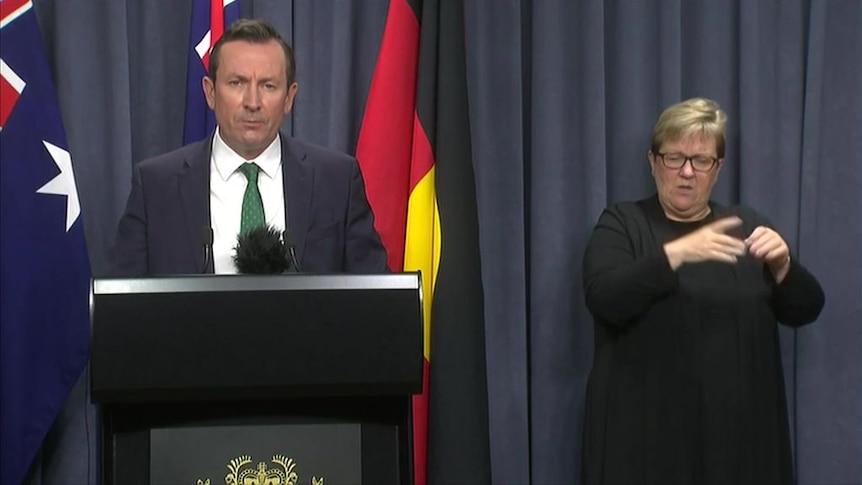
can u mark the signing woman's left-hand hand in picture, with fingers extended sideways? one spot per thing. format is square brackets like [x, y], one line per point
[709, 243]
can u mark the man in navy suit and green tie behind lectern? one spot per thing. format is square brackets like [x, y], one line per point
[181, 199]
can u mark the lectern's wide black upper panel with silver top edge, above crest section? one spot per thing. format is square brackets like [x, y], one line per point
[236, 336]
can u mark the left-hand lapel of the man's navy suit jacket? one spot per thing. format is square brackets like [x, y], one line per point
[193, 184]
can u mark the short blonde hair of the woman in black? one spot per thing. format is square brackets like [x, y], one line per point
[691, 118]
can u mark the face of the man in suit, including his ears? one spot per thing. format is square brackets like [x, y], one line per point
[250, 95]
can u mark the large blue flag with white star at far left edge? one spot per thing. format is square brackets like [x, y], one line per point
[44, 269]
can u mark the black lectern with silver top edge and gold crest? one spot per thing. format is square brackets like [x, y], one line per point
[257, 378]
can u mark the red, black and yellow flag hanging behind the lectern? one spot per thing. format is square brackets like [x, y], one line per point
[415, 153]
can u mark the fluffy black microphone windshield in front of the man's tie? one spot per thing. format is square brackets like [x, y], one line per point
[261, 251]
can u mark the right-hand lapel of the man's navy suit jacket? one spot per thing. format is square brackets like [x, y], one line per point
[297, 177]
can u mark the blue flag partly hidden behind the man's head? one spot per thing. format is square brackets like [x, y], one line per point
[209, 19]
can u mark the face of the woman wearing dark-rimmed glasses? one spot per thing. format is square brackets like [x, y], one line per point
[684, 192]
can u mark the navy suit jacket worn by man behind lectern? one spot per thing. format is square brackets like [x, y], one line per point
[327, 211]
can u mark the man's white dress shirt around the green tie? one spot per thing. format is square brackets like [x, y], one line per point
[227, 188]
